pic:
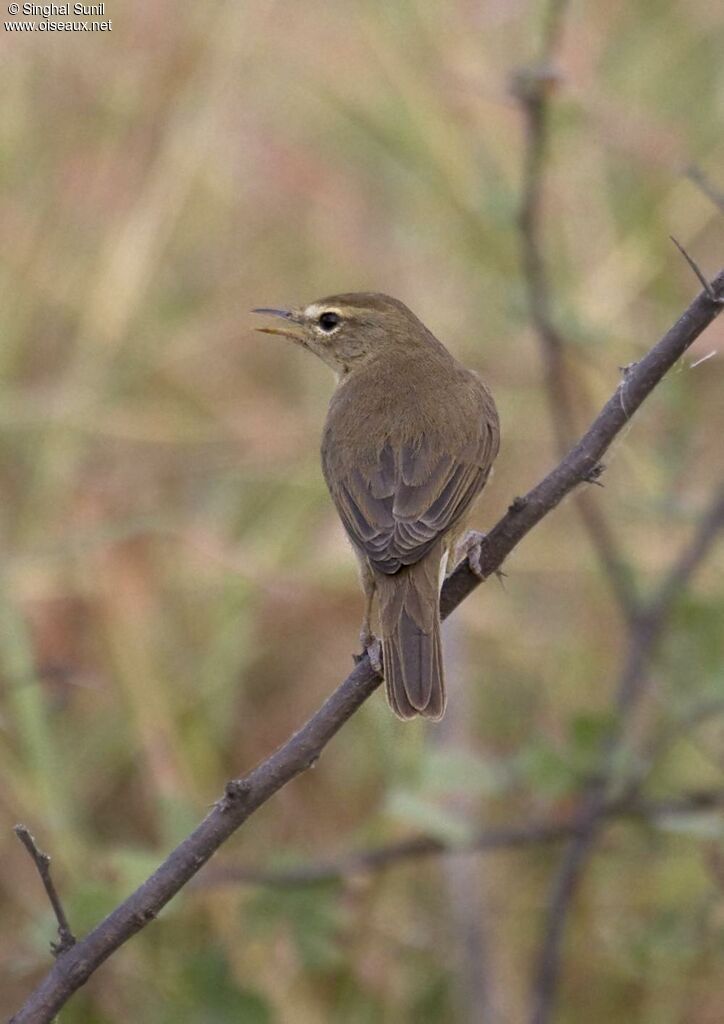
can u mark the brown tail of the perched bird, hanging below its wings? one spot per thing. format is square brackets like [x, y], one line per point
[411, 641]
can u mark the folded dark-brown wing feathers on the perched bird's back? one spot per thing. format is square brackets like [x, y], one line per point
[396, 513]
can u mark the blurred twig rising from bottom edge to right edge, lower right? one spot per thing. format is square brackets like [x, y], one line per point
[631, 688]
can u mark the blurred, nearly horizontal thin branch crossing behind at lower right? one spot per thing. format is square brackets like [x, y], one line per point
[531, 834]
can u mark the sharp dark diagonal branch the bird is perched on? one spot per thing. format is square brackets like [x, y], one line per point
[244, 796]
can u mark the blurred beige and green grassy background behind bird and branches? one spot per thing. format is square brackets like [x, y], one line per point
[178, 595]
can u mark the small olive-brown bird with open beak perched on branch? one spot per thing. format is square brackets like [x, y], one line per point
[409, 443]
